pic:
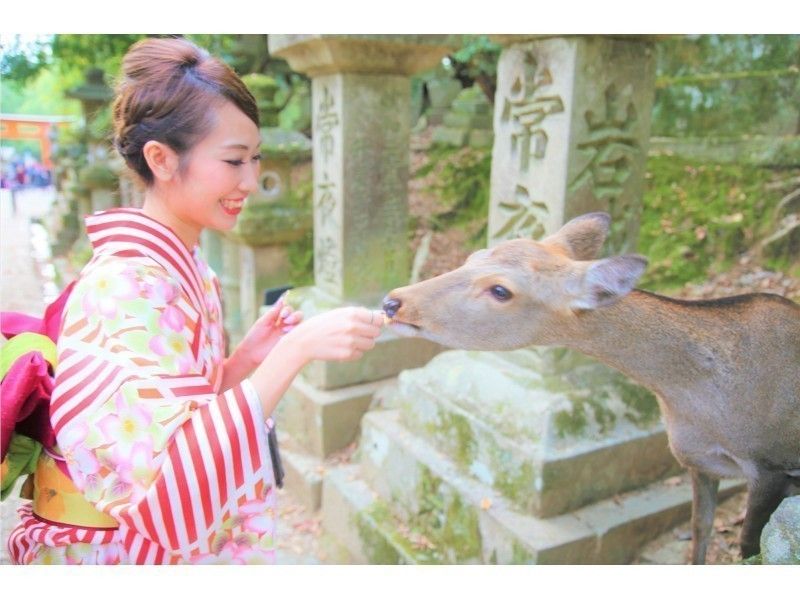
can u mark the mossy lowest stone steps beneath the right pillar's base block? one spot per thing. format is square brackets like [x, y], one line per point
[421, 509]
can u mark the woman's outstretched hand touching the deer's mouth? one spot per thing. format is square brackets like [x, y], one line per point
[342, 334]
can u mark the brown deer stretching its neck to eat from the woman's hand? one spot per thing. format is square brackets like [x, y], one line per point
[725, 372]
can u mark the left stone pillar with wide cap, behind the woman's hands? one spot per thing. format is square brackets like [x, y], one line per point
[360, 108]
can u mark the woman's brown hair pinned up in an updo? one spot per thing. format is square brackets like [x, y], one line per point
[167, 91]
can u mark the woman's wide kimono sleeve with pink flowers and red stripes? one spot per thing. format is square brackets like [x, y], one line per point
[184, 470]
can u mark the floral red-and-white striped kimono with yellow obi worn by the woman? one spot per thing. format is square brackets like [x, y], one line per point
[165, 468]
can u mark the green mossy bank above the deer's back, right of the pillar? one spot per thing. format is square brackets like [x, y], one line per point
[698, 218]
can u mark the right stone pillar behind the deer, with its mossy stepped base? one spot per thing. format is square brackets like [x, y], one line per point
[514, 443]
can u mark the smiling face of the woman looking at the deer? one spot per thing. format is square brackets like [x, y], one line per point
[216, 176]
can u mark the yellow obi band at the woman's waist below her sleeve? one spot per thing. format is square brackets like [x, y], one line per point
[56, 499]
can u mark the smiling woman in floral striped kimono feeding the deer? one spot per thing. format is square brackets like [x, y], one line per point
[163, 439]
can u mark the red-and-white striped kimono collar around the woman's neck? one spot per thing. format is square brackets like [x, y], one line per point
[128, 232]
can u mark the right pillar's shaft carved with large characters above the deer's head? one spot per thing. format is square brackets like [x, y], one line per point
[572, 123]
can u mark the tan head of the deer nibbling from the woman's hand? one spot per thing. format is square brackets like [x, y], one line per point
[519, 293]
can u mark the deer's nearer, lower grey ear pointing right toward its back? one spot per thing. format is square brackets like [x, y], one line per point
[607, 281]
